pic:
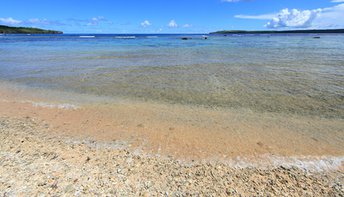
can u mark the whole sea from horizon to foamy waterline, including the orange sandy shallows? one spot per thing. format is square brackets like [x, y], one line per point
[271, 97]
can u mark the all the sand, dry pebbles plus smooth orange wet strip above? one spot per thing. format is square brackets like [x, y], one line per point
[131, 148]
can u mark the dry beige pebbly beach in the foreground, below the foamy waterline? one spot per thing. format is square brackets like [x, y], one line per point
[34, 161]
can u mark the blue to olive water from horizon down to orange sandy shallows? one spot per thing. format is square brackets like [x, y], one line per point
[294, 74]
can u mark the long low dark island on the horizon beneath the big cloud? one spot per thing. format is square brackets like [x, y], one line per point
[315, 31]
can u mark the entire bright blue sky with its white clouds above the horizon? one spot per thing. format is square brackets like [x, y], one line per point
[167, 16]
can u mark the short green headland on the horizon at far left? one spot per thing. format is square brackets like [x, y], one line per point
[25, 30]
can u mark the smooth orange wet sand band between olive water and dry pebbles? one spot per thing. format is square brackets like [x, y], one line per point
[185, 132]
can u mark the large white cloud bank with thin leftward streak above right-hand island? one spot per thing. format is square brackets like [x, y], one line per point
[330, 17]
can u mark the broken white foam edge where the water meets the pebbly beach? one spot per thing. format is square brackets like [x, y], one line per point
[309, 164]
